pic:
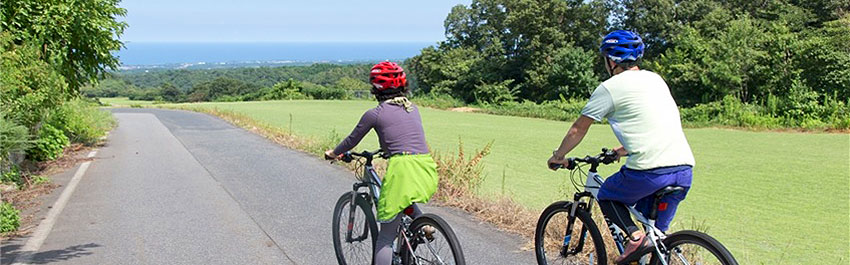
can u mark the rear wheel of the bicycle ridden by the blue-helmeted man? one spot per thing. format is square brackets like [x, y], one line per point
[695, 248]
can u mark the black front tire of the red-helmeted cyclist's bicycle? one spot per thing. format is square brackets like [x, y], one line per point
[369, 223]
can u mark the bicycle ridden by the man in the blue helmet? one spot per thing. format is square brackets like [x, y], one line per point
[567, 234]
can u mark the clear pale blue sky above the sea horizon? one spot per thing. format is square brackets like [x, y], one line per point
[286, 21]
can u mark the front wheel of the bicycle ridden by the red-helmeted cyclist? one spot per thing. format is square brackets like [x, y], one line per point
[356, 249]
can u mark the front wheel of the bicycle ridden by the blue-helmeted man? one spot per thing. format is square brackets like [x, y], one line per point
[564, 239]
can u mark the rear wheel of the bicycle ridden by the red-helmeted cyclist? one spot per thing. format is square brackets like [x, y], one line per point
[433, 242]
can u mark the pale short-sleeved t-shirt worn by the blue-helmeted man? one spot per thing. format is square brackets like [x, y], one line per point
[644, 117]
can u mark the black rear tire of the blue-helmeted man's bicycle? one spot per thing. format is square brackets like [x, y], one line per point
[698, 238]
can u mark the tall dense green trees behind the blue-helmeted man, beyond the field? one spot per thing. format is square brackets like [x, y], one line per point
[508, 55]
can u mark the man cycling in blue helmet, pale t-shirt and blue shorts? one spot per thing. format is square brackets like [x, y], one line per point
[645, 119]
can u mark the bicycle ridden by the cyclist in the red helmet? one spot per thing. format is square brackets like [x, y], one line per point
[427, 239]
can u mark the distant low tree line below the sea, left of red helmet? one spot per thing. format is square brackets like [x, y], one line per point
[318, 81]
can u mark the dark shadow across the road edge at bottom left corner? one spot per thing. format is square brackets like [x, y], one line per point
[12, 252]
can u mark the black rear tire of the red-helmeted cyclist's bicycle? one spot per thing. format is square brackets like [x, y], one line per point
[443, 227]
